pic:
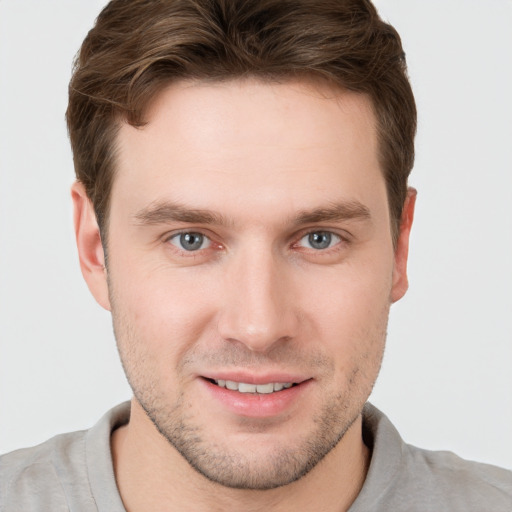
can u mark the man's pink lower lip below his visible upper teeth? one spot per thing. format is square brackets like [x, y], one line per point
[256, 405]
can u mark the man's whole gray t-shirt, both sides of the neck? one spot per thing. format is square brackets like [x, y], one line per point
[74, 472]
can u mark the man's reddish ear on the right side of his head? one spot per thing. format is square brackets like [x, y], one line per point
[400, 281]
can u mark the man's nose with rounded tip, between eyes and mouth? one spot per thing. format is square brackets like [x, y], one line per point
[258, 310]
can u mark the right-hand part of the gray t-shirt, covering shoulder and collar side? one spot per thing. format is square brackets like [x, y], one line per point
[404, 477]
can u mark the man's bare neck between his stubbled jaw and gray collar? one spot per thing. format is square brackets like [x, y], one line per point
[152, 475]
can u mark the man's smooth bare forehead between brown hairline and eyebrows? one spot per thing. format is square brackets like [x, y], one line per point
[293, 144]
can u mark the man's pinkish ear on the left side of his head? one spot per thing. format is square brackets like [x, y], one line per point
[90, 248]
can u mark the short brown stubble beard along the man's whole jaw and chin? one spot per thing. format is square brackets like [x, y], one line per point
[230, 466]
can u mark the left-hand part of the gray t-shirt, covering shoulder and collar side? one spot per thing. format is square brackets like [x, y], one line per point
[69, 472]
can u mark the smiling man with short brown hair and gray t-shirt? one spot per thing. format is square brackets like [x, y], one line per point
[242, 210]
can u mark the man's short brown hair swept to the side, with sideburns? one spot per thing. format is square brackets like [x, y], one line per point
[137, 47]
